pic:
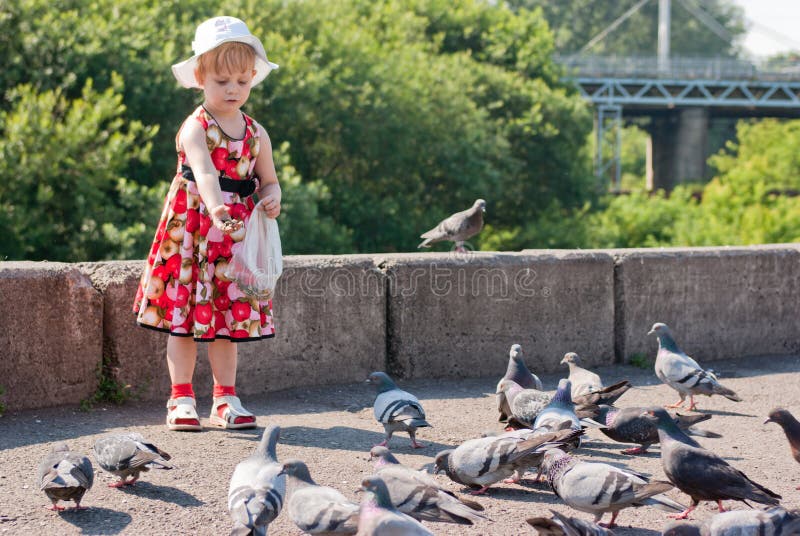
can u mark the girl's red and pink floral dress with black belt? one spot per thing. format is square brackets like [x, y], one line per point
[183, 290]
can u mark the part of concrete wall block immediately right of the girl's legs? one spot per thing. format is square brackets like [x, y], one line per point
[330, 321]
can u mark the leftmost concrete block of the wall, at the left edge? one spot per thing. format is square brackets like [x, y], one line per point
[51, 334]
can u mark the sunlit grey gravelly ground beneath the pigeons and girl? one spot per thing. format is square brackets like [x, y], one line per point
[333, 428]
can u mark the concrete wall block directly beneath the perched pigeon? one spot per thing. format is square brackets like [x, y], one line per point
[457, 316]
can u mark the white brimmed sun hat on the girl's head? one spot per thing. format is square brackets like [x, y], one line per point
[212, 33]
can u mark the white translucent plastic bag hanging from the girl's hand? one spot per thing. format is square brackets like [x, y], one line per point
[258, 264]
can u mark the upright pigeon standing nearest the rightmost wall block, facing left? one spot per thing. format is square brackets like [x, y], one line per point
[682, 373]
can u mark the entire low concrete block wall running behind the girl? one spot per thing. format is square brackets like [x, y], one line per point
[416, 315]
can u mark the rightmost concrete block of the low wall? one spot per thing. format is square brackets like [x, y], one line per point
[721, 303]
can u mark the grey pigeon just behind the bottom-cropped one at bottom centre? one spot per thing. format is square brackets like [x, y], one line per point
[419, 495]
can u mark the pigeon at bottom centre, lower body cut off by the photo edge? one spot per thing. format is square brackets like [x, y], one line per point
[378, 517]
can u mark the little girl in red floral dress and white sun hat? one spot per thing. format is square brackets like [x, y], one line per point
[224, 157]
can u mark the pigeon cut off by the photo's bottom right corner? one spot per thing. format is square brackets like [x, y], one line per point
[776, 521]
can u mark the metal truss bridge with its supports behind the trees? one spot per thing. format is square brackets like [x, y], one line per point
[679, 95]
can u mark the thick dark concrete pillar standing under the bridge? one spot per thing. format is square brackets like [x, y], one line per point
[679, 142]
